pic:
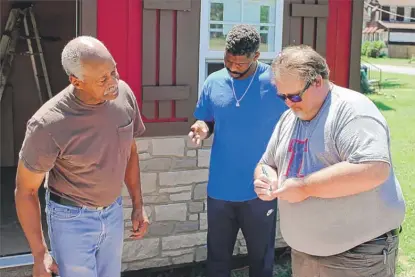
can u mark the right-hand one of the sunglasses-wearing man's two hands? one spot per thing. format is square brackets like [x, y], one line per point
[292, 190]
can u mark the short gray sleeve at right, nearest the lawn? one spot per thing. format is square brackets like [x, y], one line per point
[363, 139]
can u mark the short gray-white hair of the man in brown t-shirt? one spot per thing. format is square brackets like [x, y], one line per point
[79, 49]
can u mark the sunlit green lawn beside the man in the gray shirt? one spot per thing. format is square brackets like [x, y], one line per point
[398, 106]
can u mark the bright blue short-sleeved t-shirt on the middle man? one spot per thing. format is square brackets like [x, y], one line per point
[241, 133]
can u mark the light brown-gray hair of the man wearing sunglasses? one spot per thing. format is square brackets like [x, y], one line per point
[302, 60]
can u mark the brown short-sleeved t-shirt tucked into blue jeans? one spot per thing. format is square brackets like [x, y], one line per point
[85, 148]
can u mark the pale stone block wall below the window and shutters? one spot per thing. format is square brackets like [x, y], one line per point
[174, 176]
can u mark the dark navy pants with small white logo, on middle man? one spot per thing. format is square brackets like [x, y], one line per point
[256, 219]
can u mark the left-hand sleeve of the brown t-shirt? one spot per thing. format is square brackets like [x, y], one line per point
[39, 150]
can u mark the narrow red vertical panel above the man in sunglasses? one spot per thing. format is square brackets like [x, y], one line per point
[339, 40]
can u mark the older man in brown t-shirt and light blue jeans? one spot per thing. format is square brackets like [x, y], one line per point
[82, 141]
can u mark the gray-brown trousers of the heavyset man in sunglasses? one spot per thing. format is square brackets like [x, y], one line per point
[375, 258]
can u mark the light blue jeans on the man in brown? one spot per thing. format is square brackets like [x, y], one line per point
[86, 242]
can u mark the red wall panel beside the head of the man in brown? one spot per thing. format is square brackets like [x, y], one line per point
[119, 27]
